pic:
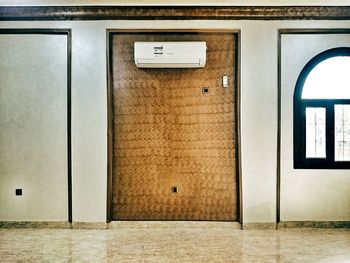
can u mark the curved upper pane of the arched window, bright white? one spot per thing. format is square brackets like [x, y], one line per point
[330, 79]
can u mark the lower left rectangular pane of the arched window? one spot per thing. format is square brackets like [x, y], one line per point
[315, 133]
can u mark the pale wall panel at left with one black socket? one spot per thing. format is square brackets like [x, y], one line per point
[33, 125]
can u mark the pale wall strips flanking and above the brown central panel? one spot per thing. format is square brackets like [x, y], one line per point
[259, 110]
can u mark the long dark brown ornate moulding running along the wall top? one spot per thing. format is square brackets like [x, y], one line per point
[13, 13]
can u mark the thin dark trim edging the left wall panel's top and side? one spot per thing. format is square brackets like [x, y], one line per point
[68, 33]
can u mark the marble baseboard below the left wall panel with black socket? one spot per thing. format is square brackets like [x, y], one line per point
[35, 224]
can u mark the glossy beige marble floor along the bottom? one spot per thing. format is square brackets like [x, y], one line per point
[175, 245]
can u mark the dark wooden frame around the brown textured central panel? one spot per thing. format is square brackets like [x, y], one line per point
[237, 128]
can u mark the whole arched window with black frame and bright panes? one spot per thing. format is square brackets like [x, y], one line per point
[322, 112]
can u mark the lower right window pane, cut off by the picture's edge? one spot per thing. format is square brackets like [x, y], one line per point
[342, 132]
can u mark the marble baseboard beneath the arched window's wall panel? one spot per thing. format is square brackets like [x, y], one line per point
[314, 224]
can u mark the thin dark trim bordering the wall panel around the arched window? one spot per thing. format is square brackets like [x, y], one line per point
[291, 31]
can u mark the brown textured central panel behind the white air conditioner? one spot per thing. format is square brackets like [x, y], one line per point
[173, 145]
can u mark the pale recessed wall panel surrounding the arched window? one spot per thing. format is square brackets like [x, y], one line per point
[307, 194]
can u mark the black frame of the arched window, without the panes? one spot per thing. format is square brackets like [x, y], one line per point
[299, 118]
